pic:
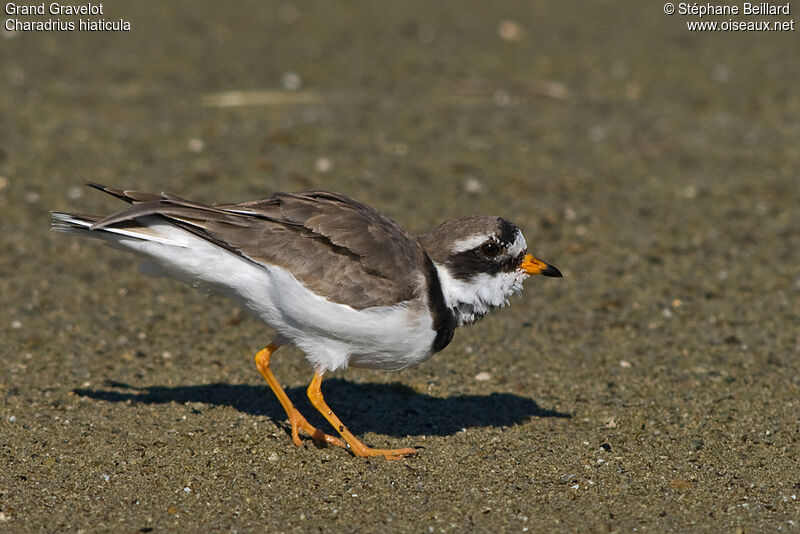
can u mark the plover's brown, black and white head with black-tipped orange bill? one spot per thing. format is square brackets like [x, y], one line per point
[481, 261]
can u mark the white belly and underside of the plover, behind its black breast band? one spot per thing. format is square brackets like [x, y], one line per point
[332, 335]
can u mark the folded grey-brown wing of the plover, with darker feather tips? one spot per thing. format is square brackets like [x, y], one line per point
[334, 245]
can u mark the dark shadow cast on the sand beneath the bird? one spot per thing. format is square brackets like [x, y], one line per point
[392, 409]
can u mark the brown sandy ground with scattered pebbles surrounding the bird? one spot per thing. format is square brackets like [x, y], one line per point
[654, 388]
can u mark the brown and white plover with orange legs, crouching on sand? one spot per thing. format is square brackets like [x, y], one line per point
[345, 284]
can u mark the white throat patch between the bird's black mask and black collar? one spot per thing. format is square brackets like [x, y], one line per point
[471, 300]
